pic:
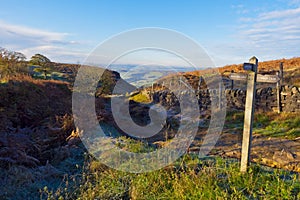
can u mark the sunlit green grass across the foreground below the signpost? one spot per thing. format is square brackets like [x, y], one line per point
[188, 178]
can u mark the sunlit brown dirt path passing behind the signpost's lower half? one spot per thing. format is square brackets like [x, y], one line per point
[273, 152]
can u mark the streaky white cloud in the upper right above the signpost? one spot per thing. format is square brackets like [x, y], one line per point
[273, 29]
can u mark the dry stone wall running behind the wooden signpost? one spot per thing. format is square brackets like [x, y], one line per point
[266, 98]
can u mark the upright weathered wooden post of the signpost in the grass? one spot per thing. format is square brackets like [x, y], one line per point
[249, 114]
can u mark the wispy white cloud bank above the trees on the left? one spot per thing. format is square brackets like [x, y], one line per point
[30, 41]
